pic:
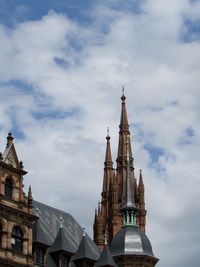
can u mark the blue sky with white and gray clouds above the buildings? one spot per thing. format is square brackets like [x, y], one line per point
[62, 67]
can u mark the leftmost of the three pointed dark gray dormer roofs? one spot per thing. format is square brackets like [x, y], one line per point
[62, 243]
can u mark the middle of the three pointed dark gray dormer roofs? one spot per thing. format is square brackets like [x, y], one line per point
[85, 252]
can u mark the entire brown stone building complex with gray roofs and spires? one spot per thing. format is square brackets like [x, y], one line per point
[35, 234]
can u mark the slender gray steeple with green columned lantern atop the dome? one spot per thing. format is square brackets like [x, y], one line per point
[129, 208]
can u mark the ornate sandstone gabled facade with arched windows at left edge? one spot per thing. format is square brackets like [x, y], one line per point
[16, 217]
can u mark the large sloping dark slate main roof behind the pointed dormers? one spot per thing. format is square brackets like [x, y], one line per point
[49, 225]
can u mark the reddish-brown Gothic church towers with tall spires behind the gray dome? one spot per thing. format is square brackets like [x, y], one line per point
[109, 218]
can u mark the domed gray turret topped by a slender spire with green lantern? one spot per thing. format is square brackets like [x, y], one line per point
[130, 246]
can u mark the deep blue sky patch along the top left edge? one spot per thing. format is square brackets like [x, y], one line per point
[16, 11]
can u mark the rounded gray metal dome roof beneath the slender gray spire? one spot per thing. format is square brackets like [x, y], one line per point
[131, 241]
